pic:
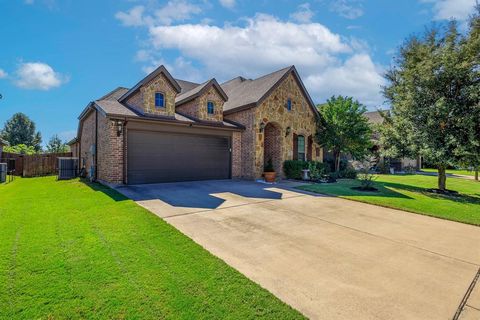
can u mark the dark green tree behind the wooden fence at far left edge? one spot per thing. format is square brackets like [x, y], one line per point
[21, 130]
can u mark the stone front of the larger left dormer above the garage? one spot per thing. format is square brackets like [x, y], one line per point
[144, 99]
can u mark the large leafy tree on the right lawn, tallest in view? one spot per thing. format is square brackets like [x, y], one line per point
[433, 106]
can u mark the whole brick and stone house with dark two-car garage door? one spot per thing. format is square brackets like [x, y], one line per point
[164, 129]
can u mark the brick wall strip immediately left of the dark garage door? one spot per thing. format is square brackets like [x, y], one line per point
[110, 151]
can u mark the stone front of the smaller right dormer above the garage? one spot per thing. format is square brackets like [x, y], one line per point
[197, 108]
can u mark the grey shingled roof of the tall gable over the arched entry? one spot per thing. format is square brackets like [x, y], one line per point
[247, 93]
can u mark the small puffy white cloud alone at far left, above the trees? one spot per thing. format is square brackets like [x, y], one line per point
[38, 75]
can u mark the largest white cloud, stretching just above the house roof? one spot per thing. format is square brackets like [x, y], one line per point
[329, 63]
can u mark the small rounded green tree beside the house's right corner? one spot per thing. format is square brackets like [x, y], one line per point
[343, 128]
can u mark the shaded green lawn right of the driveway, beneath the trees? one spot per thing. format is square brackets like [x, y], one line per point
[408, 192]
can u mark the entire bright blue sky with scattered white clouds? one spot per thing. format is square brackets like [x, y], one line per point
[58, 55]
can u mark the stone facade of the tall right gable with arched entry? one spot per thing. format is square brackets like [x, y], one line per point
[301, 120]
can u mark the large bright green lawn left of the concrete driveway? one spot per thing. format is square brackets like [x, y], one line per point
[75, 250]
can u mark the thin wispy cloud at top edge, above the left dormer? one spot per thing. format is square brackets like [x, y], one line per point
[174, 10]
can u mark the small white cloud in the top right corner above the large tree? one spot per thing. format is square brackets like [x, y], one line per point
[447, 9]
